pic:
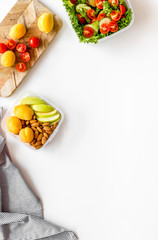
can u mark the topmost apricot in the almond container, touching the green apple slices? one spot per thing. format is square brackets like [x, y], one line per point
[23, 112]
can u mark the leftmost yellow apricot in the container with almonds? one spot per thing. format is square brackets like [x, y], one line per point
[14, 124]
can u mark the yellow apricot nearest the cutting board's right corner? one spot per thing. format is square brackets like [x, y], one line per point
[46, 22]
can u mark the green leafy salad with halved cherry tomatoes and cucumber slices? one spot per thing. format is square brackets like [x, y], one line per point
[96, 19]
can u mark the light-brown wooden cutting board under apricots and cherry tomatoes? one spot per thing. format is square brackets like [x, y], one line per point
[27, 12]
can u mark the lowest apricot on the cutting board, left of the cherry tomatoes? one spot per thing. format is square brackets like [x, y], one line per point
[8, 59]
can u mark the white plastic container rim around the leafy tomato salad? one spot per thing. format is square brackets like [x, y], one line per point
[129, 5]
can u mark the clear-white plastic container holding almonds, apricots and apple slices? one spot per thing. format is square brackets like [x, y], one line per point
[10, 113]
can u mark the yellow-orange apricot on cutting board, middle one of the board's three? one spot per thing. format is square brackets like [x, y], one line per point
[17, 31]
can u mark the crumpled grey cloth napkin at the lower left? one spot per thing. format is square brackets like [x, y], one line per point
[20, 208]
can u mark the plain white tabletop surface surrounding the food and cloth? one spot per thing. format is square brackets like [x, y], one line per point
[99, 176]
